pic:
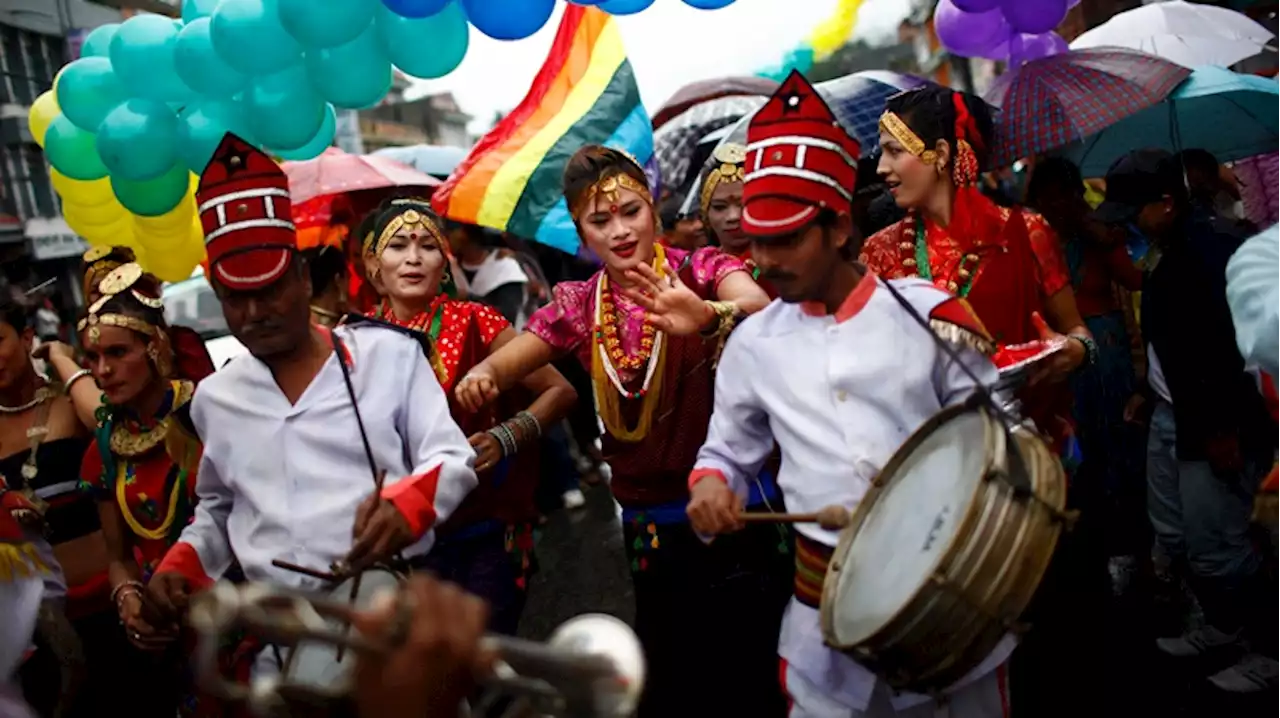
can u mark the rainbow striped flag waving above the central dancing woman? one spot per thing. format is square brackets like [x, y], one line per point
[584, 94]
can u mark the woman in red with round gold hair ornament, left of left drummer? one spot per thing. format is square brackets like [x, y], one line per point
[141, 468]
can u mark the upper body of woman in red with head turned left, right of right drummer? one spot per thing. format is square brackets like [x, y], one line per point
[1005, 262]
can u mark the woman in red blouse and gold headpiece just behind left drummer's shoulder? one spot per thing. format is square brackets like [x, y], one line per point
[487, 546]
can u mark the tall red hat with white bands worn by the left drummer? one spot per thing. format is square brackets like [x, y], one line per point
[246, 214]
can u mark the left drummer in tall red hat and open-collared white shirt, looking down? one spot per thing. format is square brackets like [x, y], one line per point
[295, 432]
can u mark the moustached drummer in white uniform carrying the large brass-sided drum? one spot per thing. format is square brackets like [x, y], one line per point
[851, 374]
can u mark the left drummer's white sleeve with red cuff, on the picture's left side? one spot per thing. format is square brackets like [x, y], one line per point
[204, 552]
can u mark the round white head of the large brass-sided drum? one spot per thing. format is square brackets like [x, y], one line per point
[908, 527]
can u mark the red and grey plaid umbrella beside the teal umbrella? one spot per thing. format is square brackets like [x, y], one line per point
[1058, 100]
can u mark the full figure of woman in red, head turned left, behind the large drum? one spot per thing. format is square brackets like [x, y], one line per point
[1008, 264]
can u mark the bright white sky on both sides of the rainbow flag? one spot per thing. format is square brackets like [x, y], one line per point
[670, 44]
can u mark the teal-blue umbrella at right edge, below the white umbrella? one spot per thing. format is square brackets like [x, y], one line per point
[1233, 116]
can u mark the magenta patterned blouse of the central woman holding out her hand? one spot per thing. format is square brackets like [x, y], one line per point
[568, 322]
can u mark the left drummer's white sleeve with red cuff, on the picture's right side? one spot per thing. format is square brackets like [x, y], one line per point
[437, 449]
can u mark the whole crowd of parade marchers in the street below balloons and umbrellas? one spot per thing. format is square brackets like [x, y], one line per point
[765, 351]
